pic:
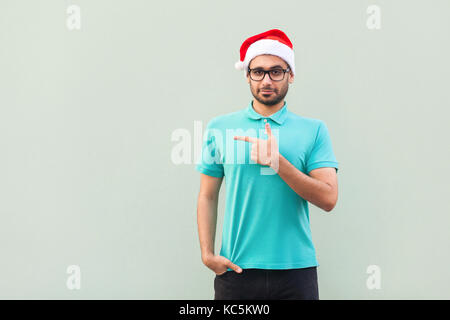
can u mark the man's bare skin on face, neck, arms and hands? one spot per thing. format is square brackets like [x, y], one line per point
[320, 187]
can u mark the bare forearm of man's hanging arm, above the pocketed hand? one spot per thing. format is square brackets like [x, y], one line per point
[206, 221]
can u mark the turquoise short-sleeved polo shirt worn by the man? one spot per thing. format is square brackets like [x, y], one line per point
[266, 224]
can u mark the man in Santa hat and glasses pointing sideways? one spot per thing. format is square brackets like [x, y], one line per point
[275, 162]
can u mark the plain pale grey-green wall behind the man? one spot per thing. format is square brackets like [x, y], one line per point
[86, 118]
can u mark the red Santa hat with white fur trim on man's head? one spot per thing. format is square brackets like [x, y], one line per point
[274, 42]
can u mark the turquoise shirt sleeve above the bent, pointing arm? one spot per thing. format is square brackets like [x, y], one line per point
[321, 154]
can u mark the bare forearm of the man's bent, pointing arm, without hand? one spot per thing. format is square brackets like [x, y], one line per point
[312, 190]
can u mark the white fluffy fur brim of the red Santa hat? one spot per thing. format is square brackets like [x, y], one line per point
[269, 46]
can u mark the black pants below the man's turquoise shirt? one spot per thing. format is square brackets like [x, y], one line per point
[264, 284]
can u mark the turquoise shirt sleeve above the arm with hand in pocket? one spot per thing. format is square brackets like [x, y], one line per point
[210, 158]
